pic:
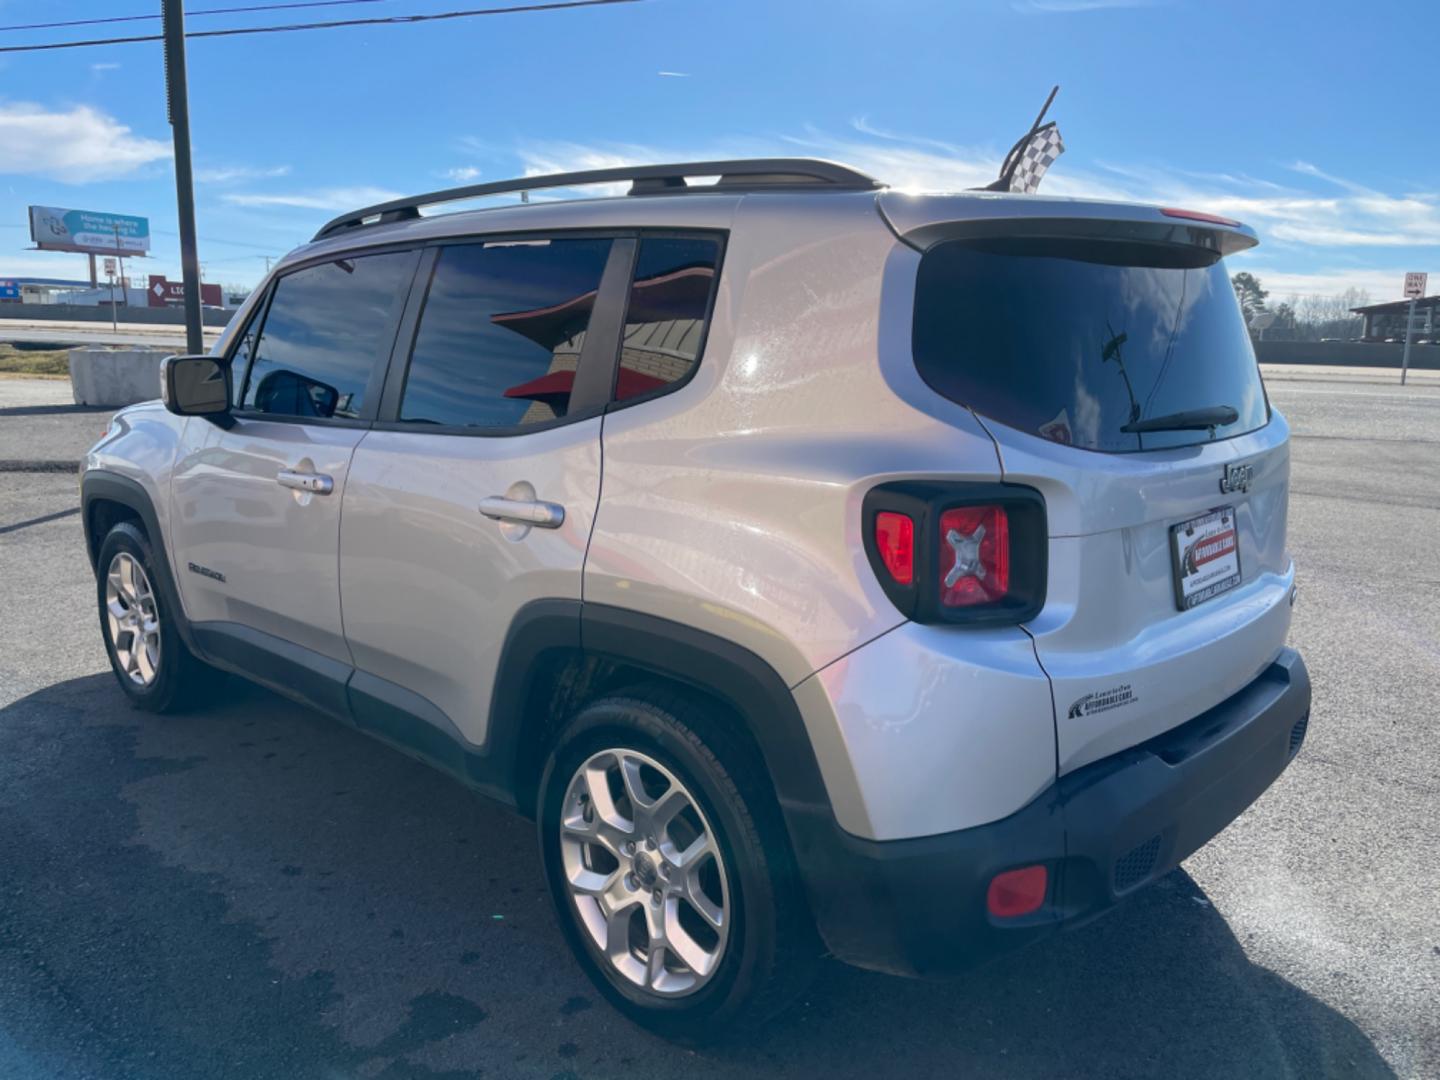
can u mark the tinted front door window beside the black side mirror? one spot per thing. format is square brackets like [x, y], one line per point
[325, 335]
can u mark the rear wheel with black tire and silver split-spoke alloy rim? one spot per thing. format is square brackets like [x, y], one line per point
[712, 981]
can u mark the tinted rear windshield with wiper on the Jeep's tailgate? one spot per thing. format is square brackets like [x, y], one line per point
[1076, 341]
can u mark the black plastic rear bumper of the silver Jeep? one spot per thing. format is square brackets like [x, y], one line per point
[1104, 832]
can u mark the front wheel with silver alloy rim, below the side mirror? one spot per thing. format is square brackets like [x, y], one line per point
[155, 669]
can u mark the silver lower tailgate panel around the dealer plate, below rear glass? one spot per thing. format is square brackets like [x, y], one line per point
[1112, 627]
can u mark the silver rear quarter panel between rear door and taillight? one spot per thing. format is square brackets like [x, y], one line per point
[734, 503]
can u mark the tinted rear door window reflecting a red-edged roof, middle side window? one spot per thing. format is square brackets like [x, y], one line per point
[502, 333]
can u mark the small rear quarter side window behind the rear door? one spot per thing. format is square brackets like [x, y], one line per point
[666, 320]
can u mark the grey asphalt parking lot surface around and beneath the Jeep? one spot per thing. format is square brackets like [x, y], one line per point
[256, 892]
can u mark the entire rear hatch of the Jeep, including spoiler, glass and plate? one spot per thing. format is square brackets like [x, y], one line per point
[1104, 349]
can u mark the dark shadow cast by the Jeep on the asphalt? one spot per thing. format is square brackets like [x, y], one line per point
[254, 891]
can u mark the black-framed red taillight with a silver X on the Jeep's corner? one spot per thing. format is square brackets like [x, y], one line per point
[966, 554]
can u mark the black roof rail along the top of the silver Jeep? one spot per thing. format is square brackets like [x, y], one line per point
[788, 174]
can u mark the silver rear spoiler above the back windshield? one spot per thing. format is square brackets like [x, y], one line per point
[922, 221]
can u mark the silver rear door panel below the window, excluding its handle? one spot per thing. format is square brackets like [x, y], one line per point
[430, 585]
